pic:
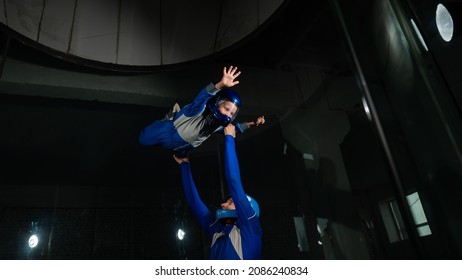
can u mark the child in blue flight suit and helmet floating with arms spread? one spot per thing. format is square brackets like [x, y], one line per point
[214, 108]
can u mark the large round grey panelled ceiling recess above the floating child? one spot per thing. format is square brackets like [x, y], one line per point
[137, 32]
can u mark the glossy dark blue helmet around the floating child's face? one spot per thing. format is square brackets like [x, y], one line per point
[213, 104]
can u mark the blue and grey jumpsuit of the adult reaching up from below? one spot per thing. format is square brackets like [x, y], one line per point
[237, 241]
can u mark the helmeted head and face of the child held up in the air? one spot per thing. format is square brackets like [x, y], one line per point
[225, 106]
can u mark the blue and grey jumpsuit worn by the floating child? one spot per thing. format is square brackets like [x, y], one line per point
[191, 126]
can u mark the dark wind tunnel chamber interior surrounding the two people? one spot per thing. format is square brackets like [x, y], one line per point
[359, 159]
